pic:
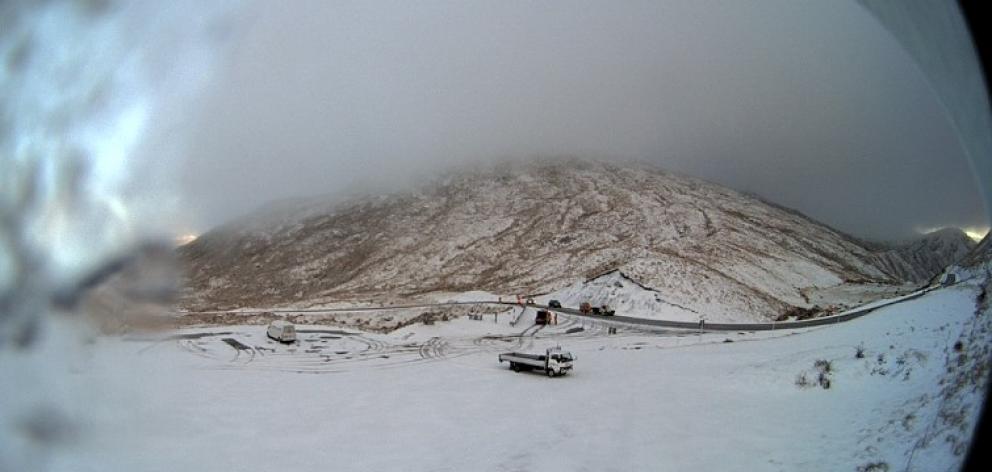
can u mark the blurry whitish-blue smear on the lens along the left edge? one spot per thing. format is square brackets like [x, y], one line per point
[85, 87]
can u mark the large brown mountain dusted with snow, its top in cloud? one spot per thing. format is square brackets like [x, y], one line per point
[532, 229]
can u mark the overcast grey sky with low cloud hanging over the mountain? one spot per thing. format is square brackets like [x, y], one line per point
[810, 104]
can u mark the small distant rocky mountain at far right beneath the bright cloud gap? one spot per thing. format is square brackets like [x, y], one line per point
[920, 259]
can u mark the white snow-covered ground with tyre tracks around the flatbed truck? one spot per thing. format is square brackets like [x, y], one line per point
[435, 398]
